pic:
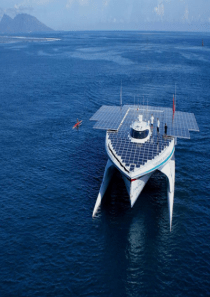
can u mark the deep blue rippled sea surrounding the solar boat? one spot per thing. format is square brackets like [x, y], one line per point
[50, 174]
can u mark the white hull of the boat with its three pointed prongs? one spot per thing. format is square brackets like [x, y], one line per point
[136, 181]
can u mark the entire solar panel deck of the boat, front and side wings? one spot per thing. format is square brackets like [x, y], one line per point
[133, 155]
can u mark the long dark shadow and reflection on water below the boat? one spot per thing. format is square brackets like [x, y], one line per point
[134, 237]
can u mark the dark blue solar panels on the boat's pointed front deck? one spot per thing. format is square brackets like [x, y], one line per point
[133, 155]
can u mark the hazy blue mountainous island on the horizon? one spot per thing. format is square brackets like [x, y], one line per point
[22, 23]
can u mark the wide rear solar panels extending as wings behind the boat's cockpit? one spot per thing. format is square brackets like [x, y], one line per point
[118, 119]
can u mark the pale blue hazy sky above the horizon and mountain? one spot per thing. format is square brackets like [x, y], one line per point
[167, 15]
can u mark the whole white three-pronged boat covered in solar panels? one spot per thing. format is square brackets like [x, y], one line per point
[138, 148]
